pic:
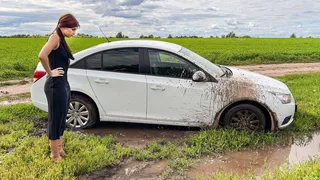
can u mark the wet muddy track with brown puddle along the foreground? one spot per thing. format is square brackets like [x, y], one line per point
[239, 163]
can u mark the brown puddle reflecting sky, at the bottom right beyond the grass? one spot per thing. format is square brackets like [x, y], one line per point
[258, 161]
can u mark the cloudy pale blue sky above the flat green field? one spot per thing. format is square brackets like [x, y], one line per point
[256, 18]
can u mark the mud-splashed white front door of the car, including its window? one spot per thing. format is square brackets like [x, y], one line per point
[172, 94]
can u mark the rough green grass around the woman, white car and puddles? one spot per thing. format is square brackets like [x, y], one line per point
[23, 155]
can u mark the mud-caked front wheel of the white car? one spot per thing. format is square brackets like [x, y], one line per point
[245, 117]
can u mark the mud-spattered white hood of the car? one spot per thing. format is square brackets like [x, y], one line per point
[260, 81]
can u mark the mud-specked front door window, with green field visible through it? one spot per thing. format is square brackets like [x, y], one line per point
[170, 65]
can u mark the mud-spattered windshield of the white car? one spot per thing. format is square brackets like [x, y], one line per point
[217, 69]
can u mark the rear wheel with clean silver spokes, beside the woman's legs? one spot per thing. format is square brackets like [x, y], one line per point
[85, 106]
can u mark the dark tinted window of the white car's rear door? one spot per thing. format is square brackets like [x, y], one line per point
[121, 60]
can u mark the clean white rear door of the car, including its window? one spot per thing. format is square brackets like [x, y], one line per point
[115, 78]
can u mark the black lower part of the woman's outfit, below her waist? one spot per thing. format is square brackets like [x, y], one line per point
[58, 98]
